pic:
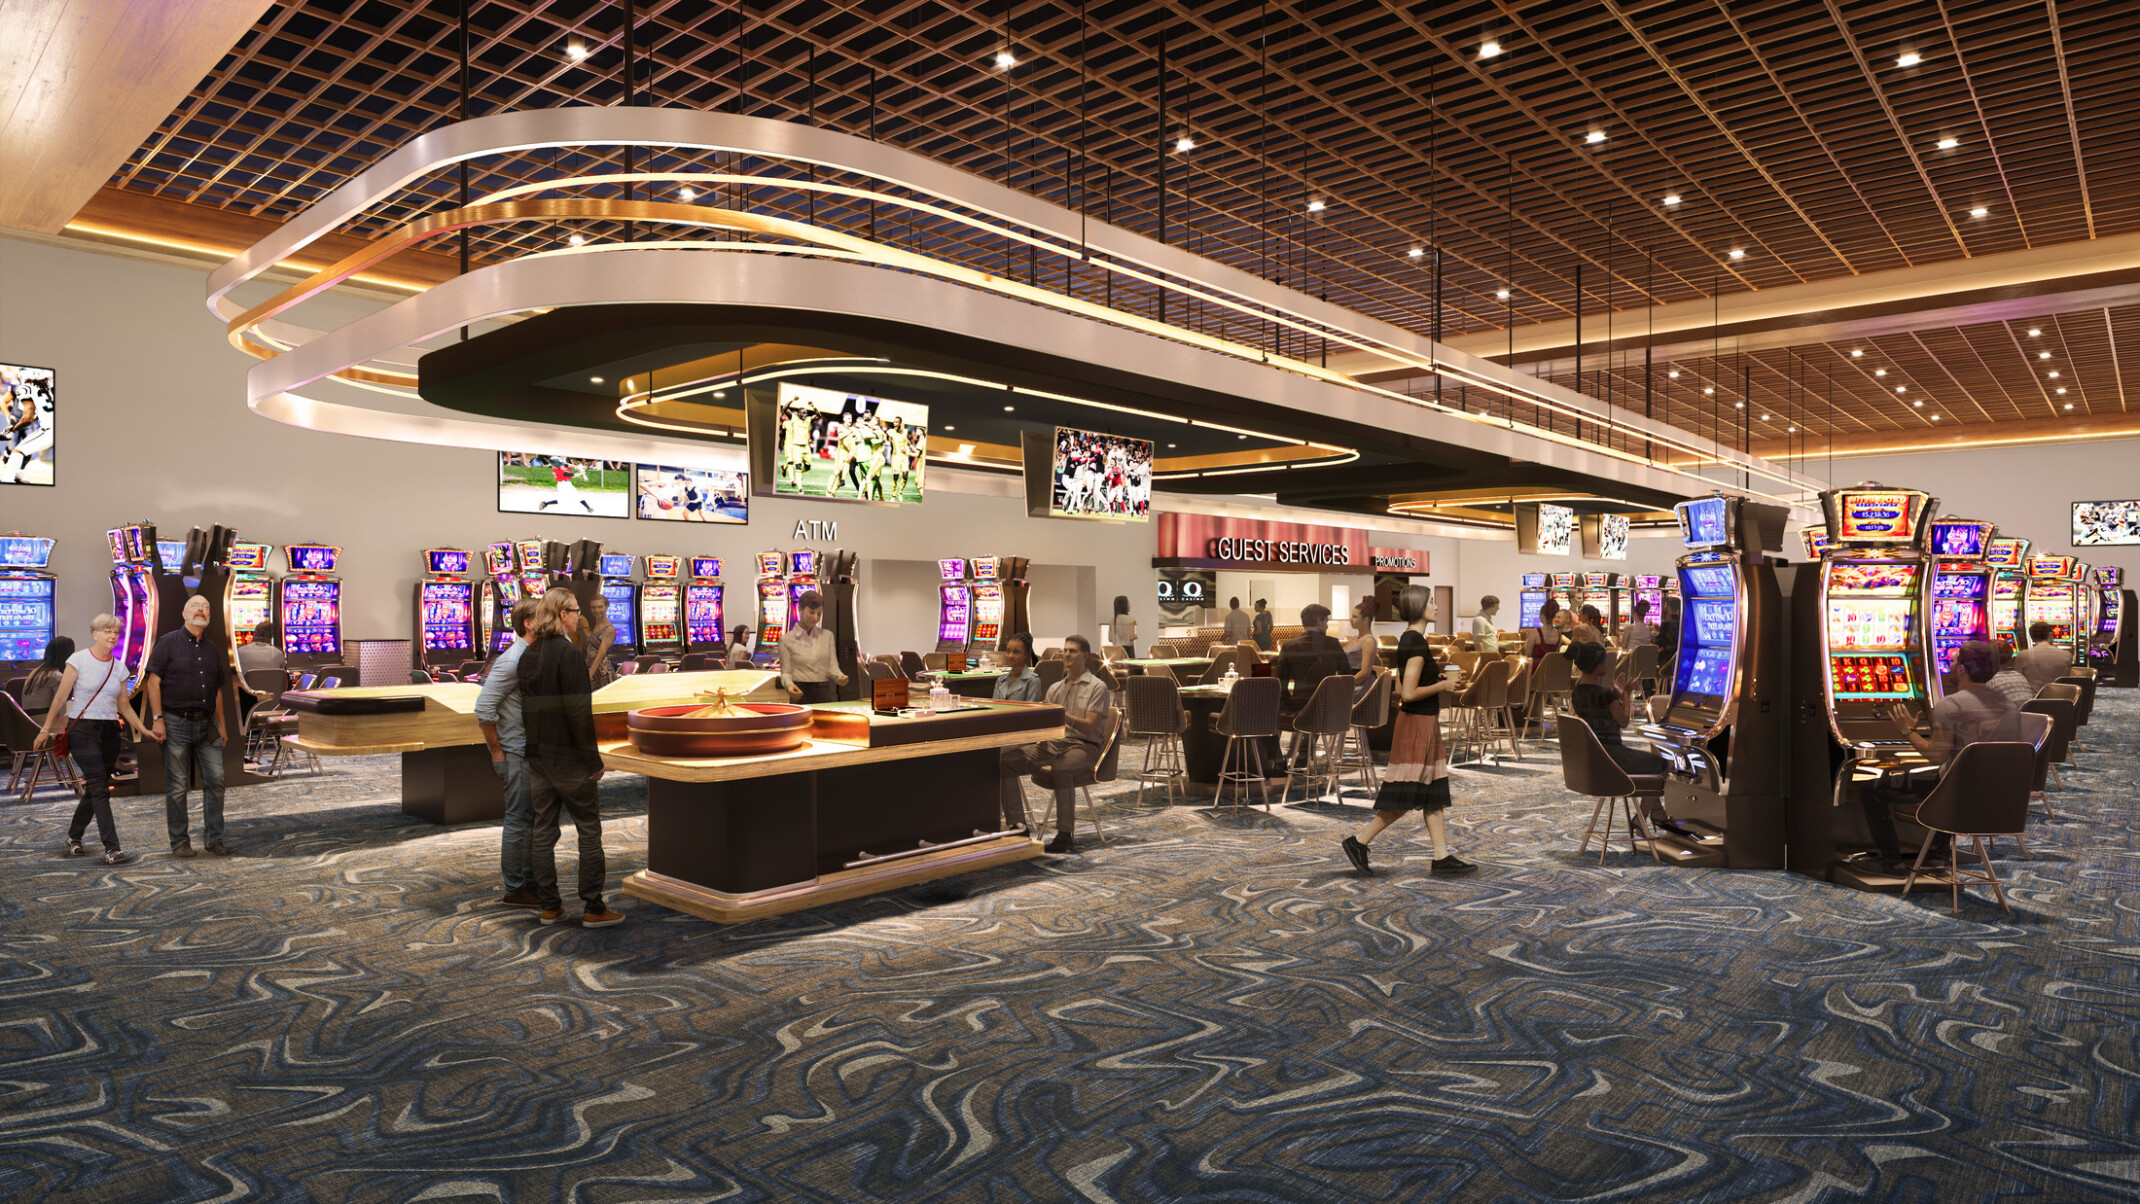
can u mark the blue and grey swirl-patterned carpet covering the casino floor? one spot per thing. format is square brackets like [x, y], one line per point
[1212, 1008]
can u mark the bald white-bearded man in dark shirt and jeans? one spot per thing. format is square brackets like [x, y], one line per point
[185, 705]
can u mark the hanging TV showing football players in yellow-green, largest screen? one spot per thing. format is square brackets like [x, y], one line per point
[849, 446]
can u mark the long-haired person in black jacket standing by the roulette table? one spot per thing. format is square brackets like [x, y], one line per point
[564, 762]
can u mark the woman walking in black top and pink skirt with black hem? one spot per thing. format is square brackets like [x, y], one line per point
[1418, 777]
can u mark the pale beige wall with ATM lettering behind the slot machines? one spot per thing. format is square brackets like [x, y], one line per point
[155, 427]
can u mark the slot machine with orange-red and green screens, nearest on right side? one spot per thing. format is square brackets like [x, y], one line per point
[1865, 658]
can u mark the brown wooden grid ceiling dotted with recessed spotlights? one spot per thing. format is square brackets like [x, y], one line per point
[1790, 132]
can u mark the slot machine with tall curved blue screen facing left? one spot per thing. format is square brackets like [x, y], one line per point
[1722, 732]
